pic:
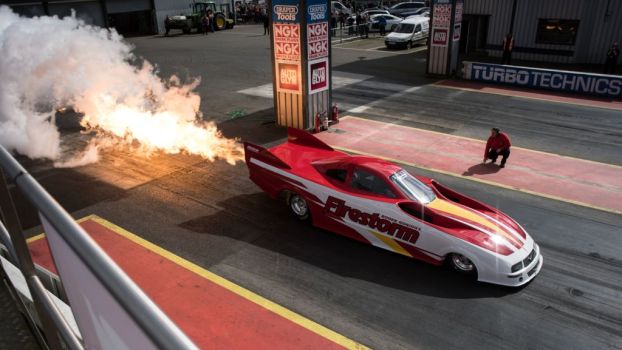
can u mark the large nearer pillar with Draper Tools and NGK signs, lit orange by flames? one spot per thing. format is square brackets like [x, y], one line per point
[301, 61]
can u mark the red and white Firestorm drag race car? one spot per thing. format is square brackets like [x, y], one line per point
[376, 202]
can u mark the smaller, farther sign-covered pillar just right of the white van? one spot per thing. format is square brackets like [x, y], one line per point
[445, 27]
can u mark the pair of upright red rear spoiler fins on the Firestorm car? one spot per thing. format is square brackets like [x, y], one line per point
[294, 136]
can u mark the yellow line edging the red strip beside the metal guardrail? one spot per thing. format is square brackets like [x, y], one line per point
[241, 291]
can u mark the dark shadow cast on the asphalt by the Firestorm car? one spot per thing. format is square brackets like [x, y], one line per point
[285, 235]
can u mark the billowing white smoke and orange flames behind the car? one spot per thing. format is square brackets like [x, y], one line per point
[47, 63]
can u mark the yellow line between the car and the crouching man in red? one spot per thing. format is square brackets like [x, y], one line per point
[491, 183]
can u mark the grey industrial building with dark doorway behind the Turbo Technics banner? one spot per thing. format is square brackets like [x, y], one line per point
[563, 31]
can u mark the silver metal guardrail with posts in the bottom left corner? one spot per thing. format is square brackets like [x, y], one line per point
[154, 323]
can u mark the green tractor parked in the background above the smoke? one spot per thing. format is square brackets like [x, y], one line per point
[193, 21]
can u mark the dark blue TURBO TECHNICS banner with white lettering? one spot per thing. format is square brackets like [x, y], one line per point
[582, 83]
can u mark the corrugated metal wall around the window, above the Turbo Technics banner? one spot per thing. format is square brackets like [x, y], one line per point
[600, 25]
